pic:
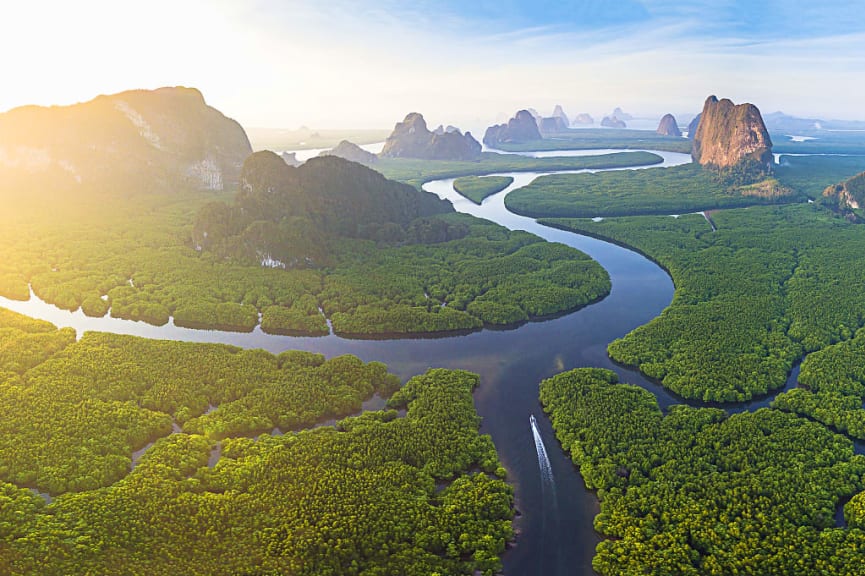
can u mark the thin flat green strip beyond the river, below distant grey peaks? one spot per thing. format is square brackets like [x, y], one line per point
[416, 172]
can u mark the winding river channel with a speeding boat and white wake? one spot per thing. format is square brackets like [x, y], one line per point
[555, 525]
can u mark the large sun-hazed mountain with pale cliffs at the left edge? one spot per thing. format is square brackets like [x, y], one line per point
[136, 141]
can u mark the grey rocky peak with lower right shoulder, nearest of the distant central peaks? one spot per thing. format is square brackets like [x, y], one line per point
[412, 139]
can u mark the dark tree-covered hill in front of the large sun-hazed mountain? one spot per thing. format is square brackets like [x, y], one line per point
[285, 216]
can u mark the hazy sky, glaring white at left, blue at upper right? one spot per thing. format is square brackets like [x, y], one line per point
[346, 63]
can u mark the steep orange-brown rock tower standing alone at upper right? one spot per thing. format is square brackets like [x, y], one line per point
[728, 134]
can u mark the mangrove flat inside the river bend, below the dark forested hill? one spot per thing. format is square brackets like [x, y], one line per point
[491, 276]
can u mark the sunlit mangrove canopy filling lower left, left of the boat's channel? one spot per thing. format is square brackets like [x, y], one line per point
[409, 490]
